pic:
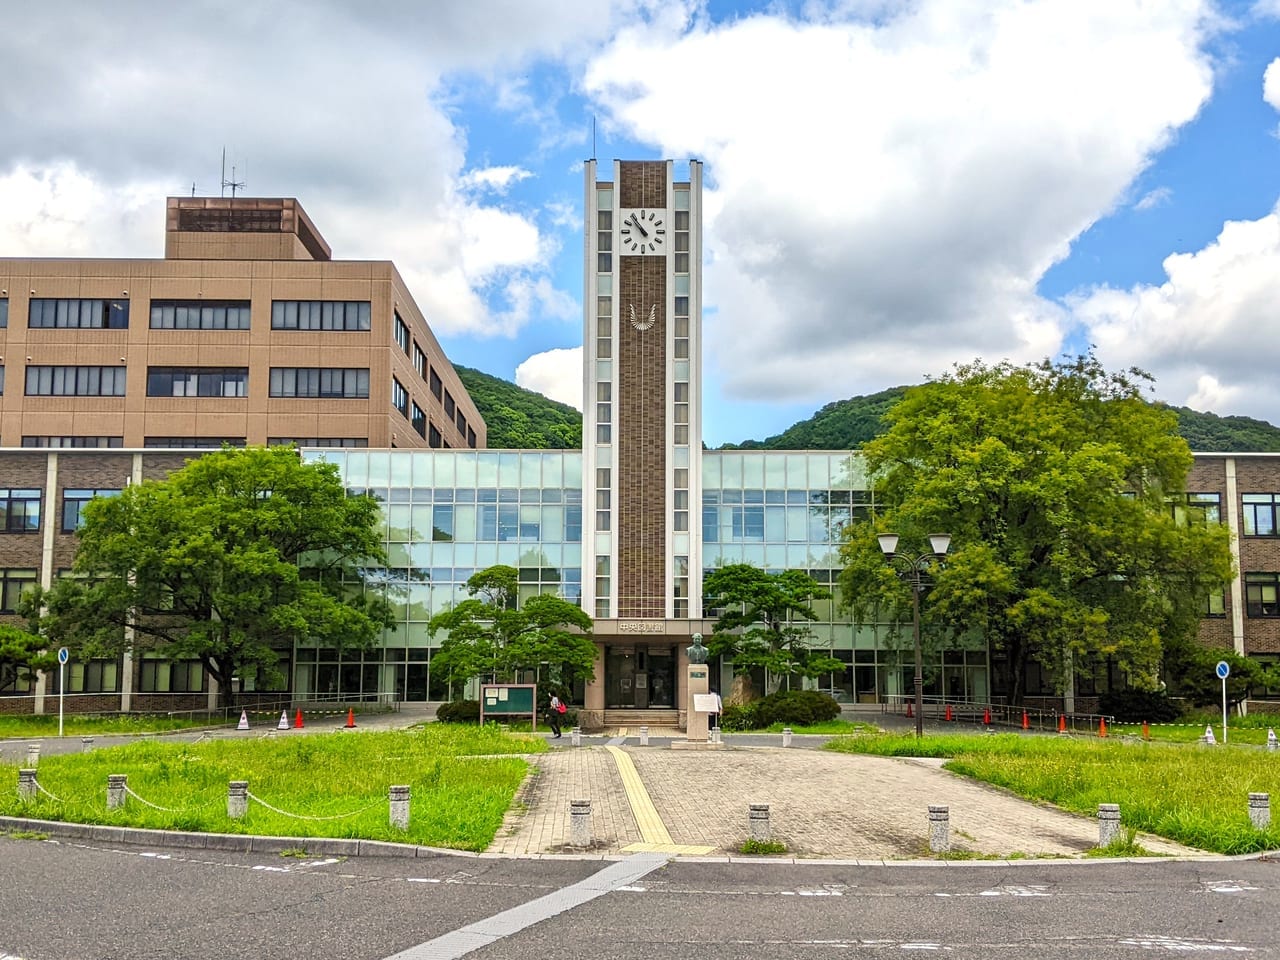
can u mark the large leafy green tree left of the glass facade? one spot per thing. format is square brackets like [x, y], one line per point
[226, 561]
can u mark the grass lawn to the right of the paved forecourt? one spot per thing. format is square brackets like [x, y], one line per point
[1196, 796]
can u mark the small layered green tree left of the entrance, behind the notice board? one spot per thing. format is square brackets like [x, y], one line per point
[493, 636]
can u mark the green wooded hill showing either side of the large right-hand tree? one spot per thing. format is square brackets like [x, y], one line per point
[849, 424]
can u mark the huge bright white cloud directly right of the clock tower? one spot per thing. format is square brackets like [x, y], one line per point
[886, 194]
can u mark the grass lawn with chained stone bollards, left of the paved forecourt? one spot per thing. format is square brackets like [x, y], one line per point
[458, 802]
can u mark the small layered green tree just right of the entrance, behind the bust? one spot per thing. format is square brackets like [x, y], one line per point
[765, 621]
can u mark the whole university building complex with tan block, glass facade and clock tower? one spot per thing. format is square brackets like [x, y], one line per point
[628, 527]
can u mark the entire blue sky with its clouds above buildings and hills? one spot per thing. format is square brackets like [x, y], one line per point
[892, 188]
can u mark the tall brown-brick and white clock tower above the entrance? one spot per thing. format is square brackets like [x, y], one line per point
[642, 359]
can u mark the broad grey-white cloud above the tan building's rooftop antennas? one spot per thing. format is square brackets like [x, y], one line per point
[342, 107]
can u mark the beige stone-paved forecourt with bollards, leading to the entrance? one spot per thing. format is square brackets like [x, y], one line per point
[821, 804]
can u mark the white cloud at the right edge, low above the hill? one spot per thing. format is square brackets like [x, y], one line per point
[1204, 332]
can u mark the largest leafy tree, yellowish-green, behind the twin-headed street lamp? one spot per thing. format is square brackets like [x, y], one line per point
[1055, 483]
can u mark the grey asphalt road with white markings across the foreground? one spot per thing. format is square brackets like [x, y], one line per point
[65, 902]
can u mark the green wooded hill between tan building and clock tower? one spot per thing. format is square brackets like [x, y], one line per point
[520, 419]
